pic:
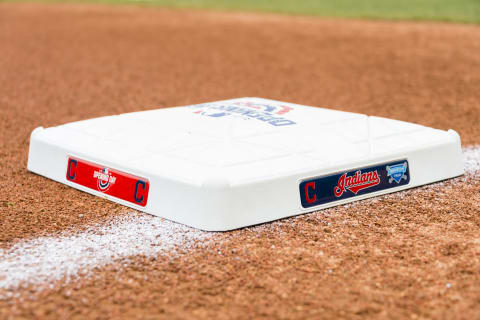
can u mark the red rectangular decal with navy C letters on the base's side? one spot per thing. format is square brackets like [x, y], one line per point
[113, 182]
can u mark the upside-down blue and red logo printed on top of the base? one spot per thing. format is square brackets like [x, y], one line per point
[271, 114]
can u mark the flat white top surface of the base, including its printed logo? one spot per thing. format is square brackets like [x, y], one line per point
[238, 141]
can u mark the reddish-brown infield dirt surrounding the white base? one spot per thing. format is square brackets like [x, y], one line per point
[415, 256]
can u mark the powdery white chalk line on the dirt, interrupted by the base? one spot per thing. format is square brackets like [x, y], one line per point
[44, 260]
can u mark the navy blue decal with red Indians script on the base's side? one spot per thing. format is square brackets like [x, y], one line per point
[353, 183]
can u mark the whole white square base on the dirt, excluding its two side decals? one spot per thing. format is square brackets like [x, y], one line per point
[219, 166]
